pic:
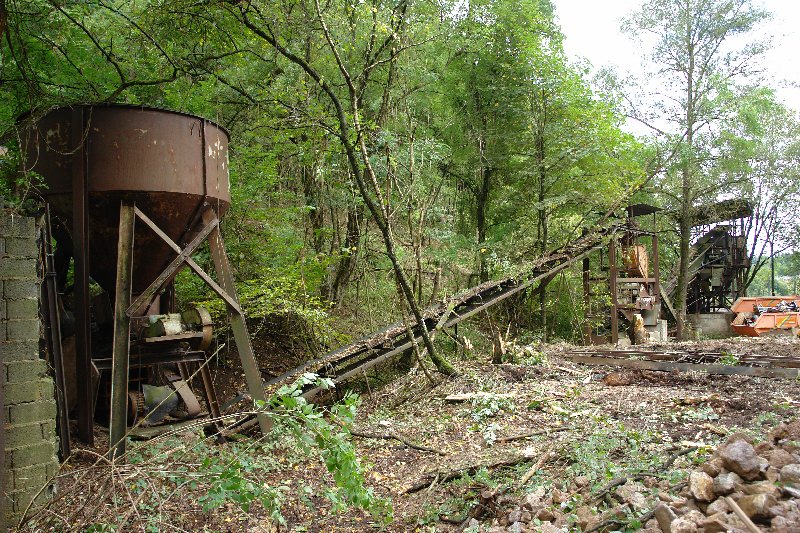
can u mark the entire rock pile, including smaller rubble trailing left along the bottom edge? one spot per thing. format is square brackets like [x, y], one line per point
[742, 488]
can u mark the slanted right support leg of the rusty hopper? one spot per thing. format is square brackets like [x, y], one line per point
[236, 317]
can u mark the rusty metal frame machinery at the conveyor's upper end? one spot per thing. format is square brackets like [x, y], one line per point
[624, 283]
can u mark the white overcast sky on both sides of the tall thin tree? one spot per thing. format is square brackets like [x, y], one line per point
[592, 30]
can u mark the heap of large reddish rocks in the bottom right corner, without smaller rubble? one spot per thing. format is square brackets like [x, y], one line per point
[743, 487]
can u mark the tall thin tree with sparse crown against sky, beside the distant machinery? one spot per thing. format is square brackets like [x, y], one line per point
[697, 61]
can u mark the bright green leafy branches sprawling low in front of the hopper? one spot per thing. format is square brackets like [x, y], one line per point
[235, 473]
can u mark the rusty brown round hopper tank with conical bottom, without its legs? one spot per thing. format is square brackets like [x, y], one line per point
[170, 164]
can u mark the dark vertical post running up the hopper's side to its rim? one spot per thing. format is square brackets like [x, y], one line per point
[80, 253]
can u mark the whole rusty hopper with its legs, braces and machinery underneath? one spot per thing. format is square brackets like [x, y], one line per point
[134, 192]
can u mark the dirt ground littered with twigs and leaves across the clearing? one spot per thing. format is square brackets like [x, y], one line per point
[539, 421]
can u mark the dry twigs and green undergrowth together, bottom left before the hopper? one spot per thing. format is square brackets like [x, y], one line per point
[165, 483]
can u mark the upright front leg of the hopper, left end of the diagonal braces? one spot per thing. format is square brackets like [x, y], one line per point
[122, 323]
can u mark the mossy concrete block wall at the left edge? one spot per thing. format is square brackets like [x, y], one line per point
[29, 408]
